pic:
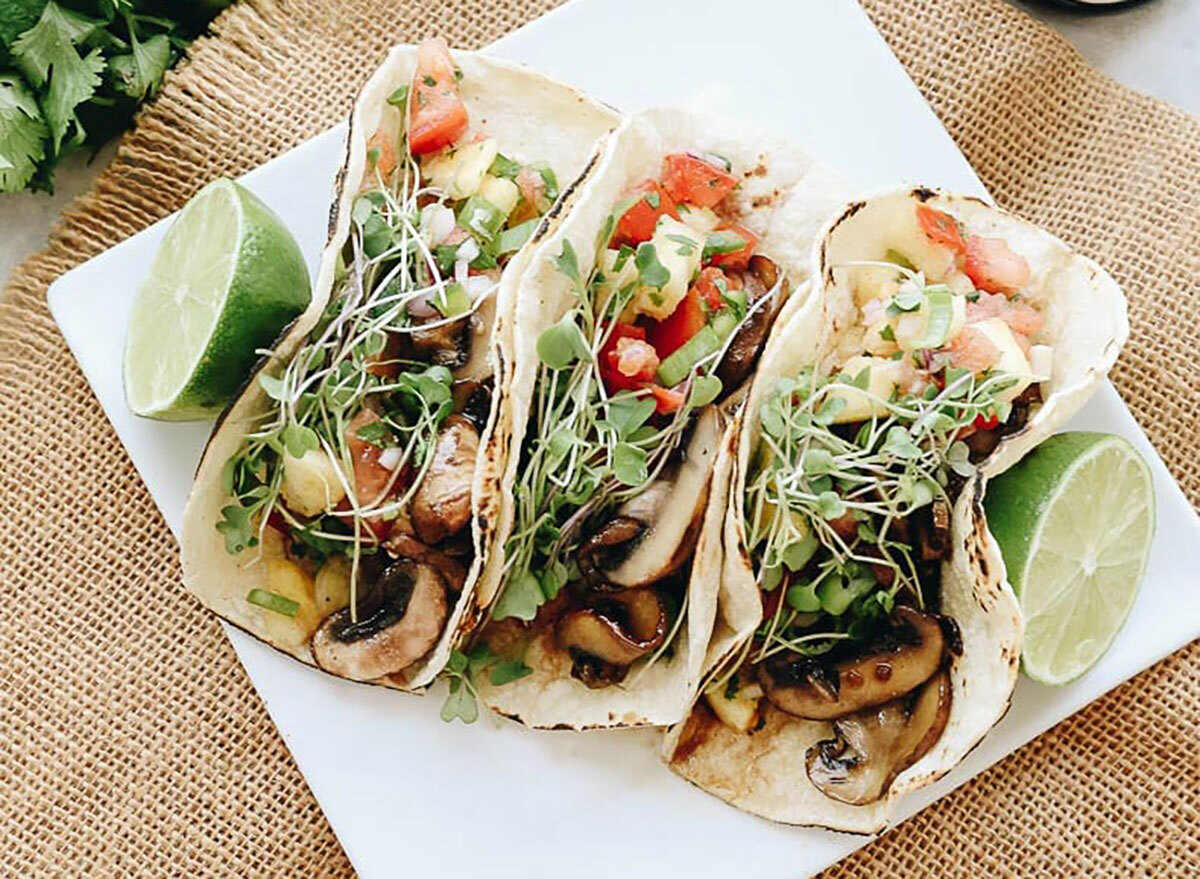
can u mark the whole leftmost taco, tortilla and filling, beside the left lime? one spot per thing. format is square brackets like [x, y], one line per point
[334, 513]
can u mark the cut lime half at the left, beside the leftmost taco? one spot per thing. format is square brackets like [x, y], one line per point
[227, 278]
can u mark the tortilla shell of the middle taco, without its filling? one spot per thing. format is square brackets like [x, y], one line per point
[784, 196]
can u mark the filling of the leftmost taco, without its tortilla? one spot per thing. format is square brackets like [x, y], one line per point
[356, 487]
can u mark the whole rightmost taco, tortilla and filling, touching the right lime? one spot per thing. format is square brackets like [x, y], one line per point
[879, 639]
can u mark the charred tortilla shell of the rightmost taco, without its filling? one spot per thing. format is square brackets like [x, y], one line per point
[1087, 324]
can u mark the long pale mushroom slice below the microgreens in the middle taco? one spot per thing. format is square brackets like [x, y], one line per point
[663, 523]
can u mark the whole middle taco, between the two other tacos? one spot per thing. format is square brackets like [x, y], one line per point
[637, 326]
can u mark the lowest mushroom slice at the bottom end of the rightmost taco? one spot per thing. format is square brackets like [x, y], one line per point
[873, 748]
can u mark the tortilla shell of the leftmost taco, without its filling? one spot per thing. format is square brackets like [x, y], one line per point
[535, 119]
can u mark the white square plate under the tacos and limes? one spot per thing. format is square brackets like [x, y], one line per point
[410, 794]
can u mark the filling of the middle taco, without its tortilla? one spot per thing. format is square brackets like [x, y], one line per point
[615, 471]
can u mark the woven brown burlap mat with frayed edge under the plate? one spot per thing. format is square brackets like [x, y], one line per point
[131, 742]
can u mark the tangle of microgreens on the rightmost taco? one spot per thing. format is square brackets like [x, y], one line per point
[808, 479]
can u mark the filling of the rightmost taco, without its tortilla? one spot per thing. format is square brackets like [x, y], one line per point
[849, 497]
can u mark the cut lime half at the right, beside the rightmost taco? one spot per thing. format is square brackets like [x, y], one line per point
[1075, 522]
